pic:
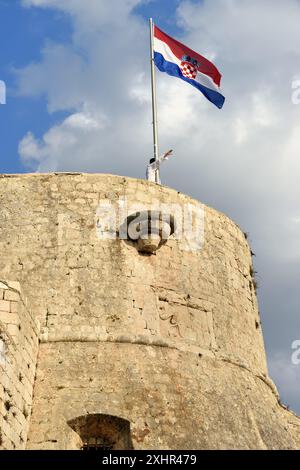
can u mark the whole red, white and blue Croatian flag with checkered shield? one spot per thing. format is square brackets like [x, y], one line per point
[175, 59]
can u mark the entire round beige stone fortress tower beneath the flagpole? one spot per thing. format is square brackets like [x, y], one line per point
[102, 345]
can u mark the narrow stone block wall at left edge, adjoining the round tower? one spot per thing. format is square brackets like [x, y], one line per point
[18, 358]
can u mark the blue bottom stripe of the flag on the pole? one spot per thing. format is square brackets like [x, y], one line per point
[172, 69]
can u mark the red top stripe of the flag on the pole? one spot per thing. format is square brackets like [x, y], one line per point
[178, 49]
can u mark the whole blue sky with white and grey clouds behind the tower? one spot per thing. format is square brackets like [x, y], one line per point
[79, 100]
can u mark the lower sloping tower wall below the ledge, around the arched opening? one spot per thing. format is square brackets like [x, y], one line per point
[172, 399]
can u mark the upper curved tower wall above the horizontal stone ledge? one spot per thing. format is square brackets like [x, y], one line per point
[84, 287]
